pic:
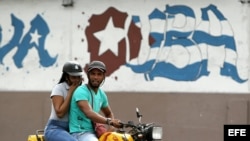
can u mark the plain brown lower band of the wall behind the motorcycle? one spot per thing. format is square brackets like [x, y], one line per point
[184, 116]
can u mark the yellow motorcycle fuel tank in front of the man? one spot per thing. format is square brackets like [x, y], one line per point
[114, 136]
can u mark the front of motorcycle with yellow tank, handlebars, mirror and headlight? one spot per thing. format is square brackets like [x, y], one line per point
[135, 132]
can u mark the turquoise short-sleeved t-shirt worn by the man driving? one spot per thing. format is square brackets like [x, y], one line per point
[78, 122]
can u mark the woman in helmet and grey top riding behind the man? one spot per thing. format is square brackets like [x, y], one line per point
[57, 128]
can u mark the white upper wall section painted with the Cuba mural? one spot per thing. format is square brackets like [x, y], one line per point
[163, 49]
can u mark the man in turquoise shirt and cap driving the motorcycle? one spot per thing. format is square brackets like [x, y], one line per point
[87, 102]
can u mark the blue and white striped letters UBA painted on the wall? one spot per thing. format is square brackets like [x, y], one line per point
[189, 41]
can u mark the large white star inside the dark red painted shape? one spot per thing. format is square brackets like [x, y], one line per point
[109, 38]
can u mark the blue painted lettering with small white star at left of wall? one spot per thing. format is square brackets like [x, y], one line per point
[34, 38]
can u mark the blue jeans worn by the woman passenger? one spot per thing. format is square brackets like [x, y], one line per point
[58, 131]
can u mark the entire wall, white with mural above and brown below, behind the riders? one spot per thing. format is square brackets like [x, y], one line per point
[184, 63]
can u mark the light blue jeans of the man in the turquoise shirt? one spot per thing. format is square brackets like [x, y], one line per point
[85, 136]
